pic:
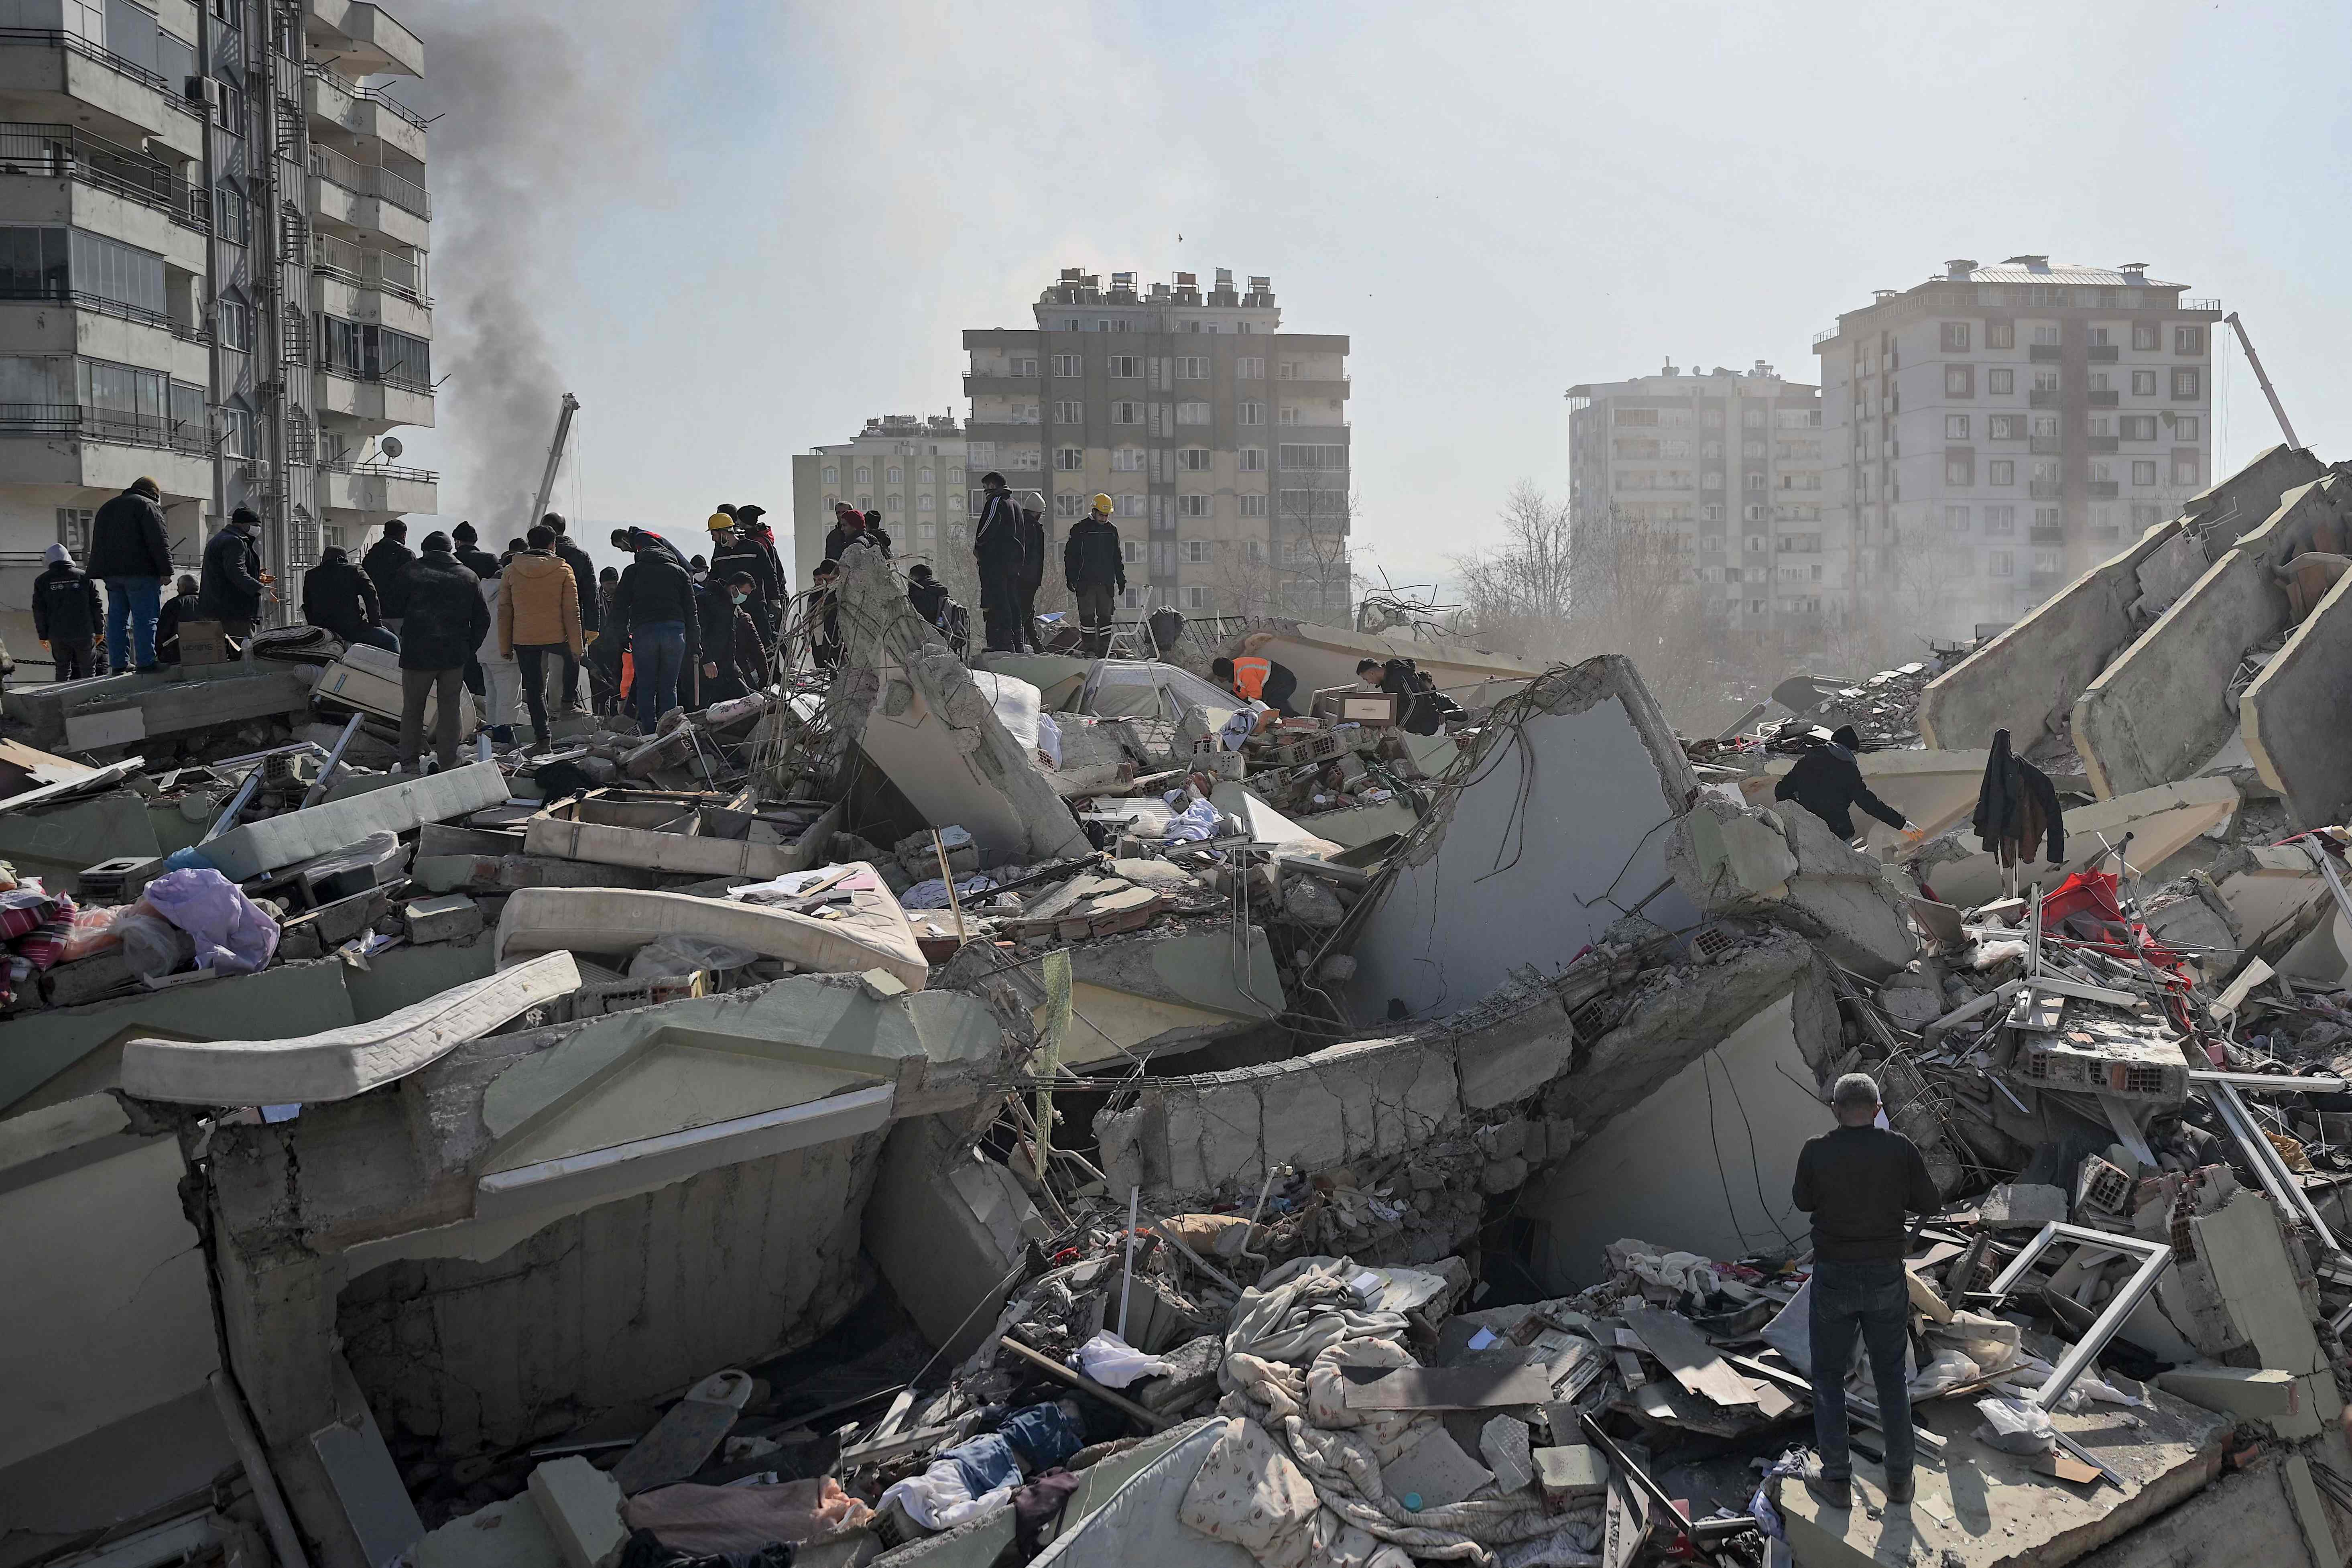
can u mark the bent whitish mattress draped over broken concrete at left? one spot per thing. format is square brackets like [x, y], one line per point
[347, 1061]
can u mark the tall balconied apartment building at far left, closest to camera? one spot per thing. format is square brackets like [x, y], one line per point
[215, 241]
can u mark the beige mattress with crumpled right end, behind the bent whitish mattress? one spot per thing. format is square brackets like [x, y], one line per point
[874, 934]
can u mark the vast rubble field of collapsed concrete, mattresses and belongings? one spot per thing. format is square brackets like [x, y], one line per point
[1055, 1111]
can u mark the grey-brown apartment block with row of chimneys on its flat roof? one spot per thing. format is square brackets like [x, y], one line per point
[1220, 438]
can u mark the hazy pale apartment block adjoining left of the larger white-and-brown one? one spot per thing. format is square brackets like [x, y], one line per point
[1732, 467]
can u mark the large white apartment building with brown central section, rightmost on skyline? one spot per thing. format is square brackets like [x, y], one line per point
[2000, 429]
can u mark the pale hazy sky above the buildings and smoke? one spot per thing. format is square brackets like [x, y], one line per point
[749, 227]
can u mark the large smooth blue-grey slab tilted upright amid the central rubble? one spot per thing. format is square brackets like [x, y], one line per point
[1561, 831]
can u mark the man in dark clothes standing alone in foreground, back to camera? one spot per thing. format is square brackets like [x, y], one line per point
[1859, 1181]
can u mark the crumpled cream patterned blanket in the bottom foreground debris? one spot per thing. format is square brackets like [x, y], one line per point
[1295, 1480]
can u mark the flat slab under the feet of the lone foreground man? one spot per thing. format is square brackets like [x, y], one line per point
[1986, 1508]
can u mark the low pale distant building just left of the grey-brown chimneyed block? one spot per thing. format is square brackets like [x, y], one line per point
[907, 467]
